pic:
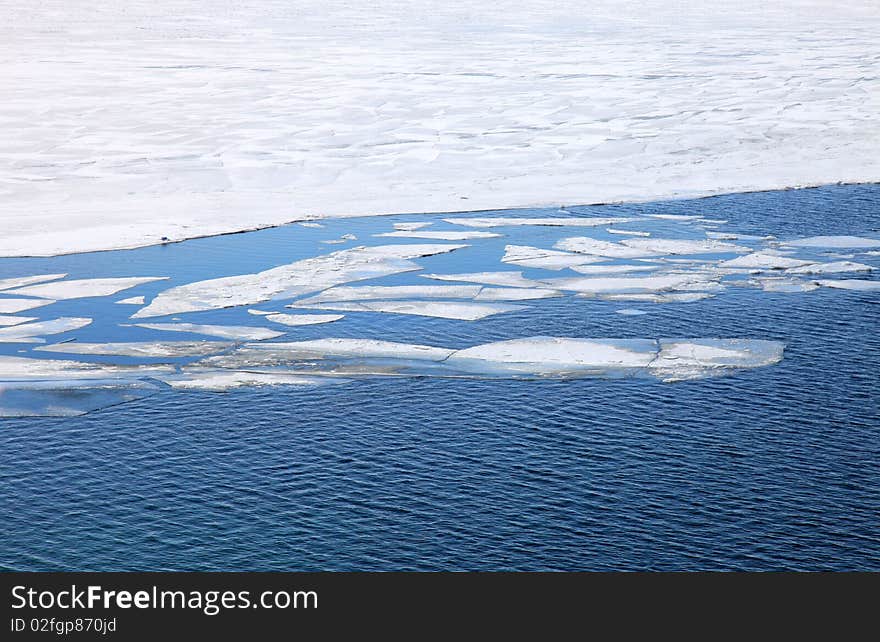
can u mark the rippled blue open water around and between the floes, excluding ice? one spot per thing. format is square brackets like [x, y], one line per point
[773, 468]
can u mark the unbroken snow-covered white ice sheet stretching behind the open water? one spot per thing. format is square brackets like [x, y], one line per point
[123, 123]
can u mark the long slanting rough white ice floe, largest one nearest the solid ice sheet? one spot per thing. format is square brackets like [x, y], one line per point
[301, 277]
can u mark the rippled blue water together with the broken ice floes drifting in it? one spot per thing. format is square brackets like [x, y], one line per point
[766, 467]
